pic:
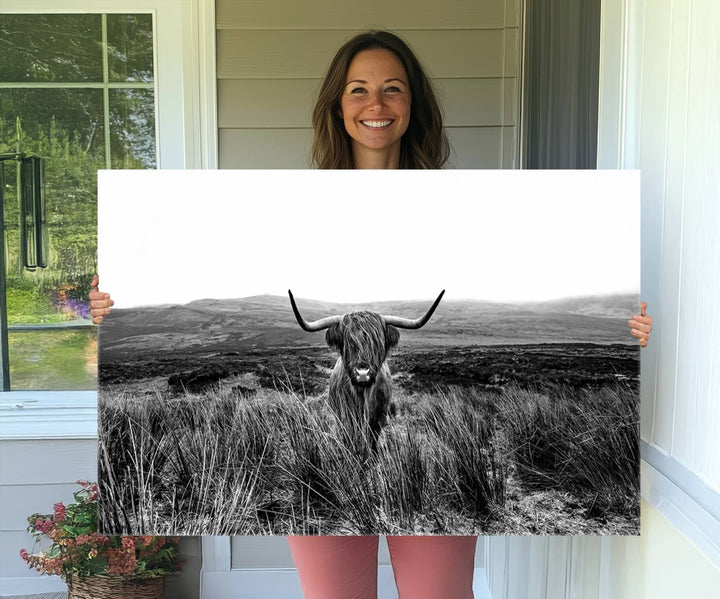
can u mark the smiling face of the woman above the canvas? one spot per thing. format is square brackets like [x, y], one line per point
[375, 103]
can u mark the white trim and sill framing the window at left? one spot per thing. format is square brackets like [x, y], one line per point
[186, 124]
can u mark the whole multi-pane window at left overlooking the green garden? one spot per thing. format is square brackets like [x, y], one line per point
[77, 90]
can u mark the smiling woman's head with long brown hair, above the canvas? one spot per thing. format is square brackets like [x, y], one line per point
[377, 109]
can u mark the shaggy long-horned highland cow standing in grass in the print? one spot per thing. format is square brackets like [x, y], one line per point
[360, 384]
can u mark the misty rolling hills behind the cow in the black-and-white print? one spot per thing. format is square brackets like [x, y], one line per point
[267, 321]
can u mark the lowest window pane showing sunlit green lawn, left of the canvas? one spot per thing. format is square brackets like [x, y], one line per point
[53, 359]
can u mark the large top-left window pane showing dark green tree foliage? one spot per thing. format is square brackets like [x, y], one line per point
[50, 48]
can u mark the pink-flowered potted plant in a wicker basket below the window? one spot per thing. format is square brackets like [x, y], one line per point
[93, 565]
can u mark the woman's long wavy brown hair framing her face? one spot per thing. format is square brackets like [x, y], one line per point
[424, 144]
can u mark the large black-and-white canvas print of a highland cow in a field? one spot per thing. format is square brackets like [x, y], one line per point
[375, 352]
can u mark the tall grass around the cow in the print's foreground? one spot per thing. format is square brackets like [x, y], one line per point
[453, 460]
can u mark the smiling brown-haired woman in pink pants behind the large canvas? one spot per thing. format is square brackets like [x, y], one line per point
[377, 110]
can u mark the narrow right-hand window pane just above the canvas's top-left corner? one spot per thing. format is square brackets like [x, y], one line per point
[132, 128]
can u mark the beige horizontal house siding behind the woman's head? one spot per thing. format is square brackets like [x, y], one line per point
[271, 58]
